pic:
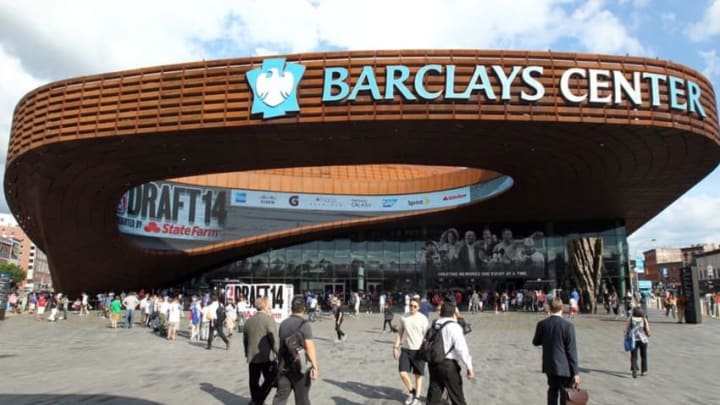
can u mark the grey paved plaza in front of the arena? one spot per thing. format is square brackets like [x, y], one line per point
[81, 360]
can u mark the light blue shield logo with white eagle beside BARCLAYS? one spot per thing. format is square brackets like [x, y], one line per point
[274, 87]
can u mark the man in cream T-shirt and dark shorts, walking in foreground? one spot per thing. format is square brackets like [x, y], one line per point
[410, 335]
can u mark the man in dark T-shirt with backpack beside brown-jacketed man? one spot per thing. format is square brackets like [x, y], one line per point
[290, 377]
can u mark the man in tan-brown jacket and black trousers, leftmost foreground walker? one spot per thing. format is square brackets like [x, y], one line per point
[261, 342]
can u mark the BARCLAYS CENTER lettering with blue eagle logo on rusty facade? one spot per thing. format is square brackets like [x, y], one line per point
[275, 83]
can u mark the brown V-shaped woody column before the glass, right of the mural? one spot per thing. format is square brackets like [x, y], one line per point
[586, 261]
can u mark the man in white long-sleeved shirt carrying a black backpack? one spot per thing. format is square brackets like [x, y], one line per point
[445, 368]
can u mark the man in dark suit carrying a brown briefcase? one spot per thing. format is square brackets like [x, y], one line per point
[560, 362]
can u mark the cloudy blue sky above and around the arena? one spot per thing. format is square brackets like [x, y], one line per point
[48, 40]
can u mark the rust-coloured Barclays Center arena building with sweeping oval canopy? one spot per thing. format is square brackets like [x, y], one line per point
[357, 171]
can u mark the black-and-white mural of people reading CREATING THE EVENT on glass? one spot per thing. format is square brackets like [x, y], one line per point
[487, 257]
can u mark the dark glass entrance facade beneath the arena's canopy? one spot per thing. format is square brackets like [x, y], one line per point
[487, 256]
